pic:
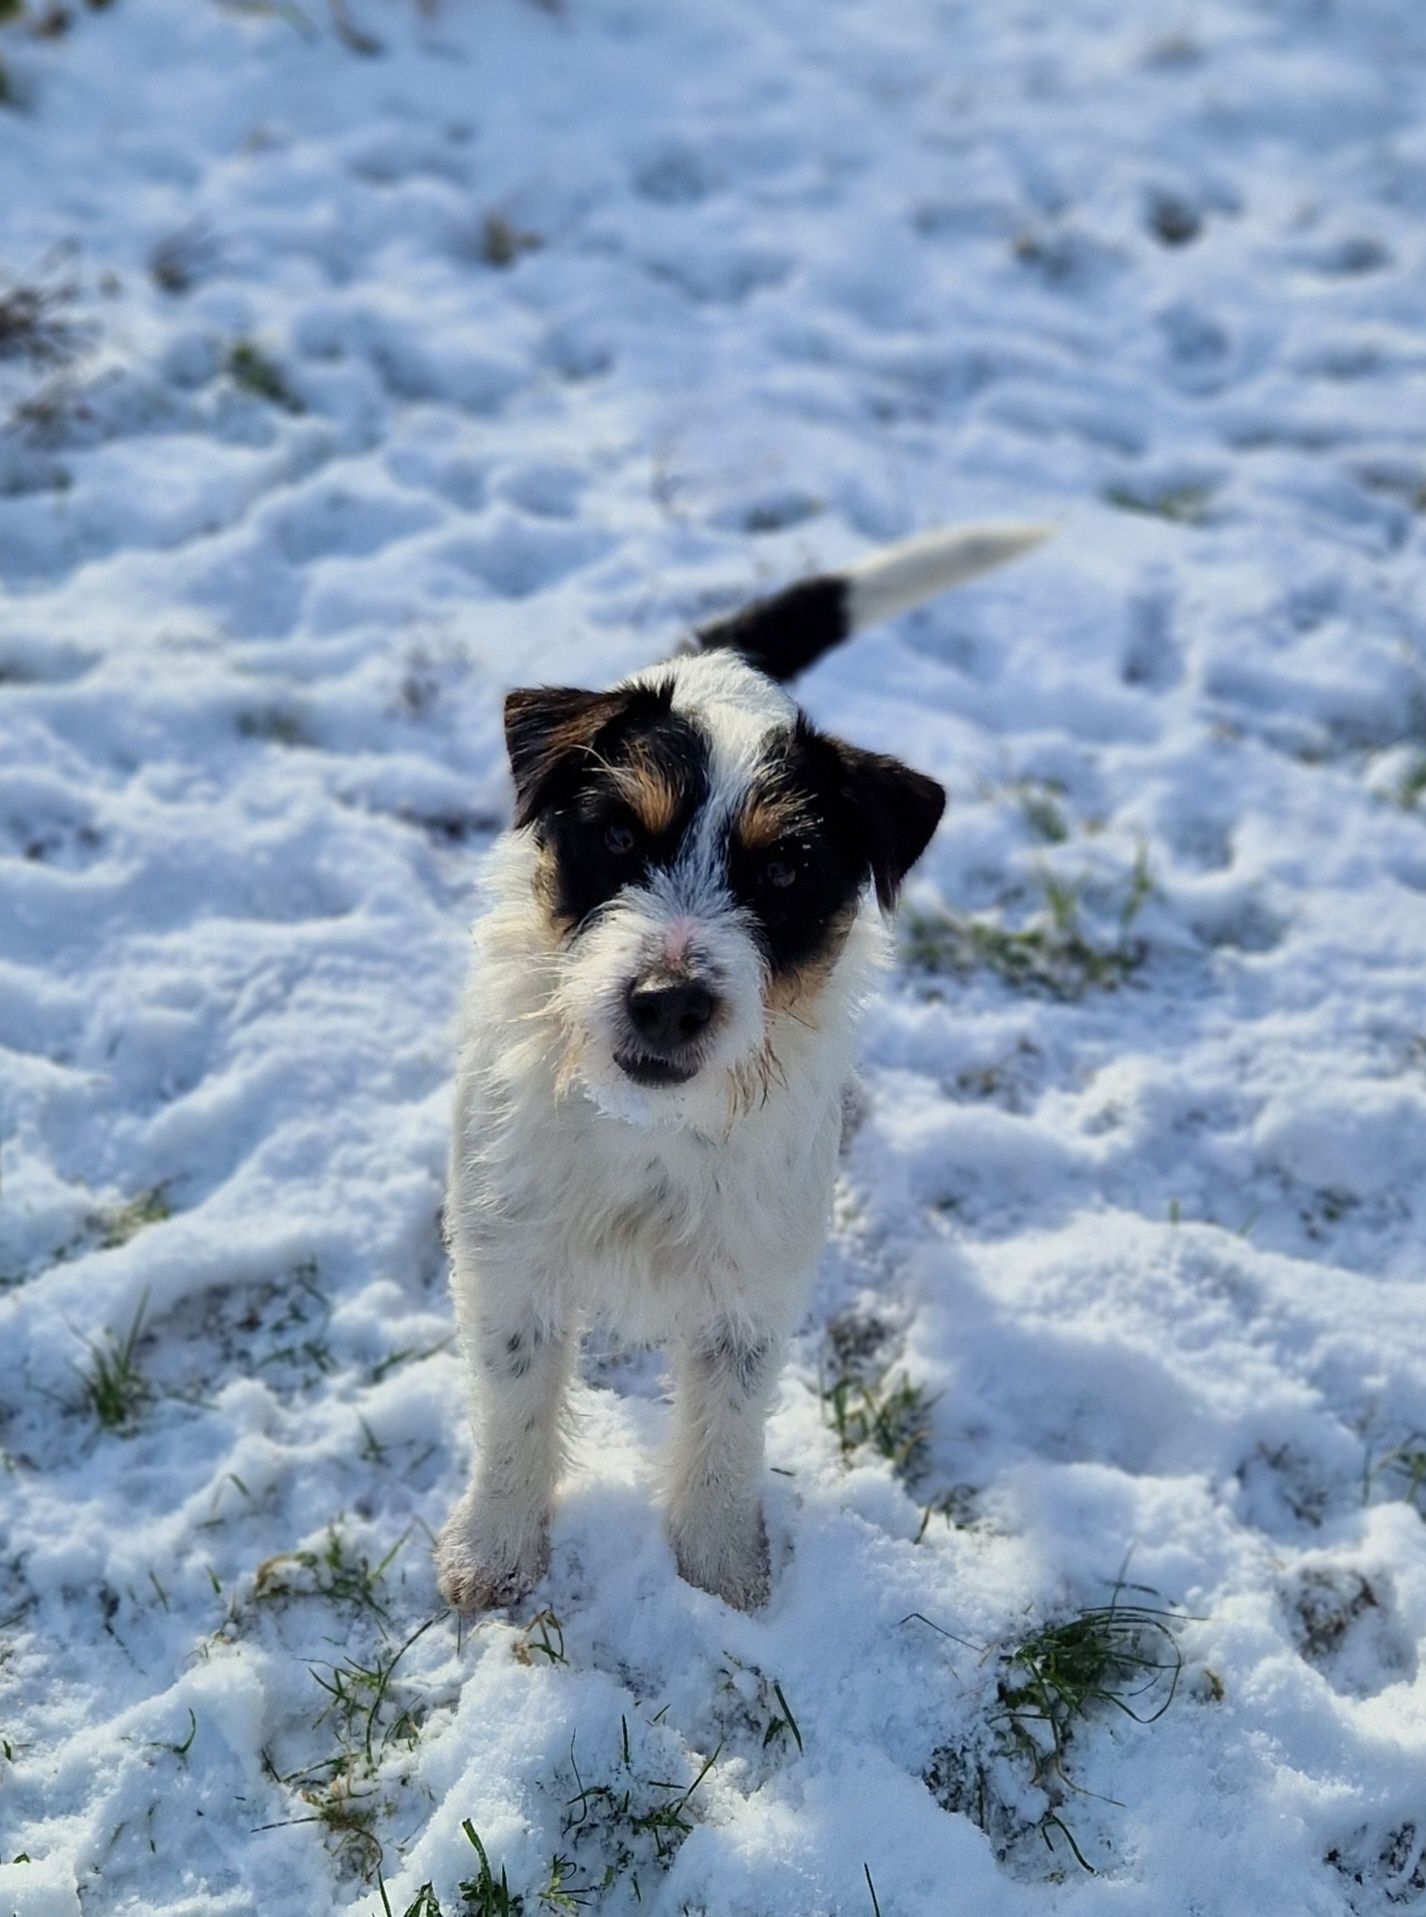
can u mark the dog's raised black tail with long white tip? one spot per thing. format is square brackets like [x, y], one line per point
[783, 635]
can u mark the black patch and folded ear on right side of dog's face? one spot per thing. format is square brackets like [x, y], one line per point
[852, 818]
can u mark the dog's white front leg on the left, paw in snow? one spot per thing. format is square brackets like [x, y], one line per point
[497, 1540]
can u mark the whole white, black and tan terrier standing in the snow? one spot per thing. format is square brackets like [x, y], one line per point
[681, 929]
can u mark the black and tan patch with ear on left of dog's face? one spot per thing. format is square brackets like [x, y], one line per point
[614, 802]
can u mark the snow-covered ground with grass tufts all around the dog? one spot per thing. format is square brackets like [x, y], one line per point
[417, 354]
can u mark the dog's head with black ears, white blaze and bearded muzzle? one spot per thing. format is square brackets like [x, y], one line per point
[702, 858]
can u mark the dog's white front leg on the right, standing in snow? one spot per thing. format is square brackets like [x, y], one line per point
[716, 1519]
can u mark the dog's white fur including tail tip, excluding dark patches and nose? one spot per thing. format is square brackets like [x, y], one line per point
[689, 1216]
